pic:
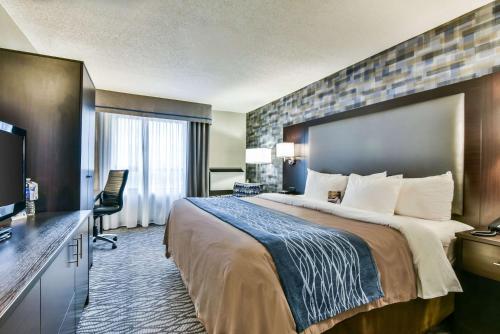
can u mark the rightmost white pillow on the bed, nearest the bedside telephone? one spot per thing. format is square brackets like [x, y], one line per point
[427, 198]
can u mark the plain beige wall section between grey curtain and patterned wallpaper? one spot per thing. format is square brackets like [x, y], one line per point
[227, 139]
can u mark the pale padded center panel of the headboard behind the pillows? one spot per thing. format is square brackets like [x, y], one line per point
[416, 140]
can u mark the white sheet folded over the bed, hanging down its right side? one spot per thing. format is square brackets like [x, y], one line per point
[426, 239]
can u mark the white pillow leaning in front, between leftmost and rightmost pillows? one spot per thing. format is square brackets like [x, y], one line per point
[372, 193]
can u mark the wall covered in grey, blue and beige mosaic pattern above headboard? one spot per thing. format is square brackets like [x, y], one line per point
[462, 49]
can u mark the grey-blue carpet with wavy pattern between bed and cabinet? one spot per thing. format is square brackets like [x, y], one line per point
[135, 289]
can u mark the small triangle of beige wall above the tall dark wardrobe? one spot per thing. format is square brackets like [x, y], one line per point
[11, 37]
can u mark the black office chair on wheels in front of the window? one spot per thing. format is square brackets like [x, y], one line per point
[110, 202]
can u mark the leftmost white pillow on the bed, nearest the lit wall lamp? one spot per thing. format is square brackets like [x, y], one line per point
[318, 184]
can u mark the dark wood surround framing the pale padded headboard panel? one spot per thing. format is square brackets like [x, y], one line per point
[481, 146]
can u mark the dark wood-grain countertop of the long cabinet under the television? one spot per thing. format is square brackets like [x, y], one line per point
[34, 243]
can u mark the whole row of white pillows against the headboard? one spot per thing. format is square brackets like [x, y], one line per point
[426, 198]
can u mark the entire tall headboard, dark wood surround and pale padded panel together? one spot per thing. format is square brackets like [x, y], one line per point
[454, 127]
